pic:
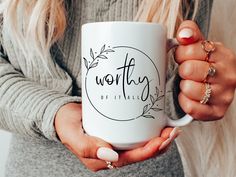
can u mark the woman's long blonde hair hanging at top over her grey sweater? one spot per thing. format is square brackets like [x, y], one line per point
[35, 25]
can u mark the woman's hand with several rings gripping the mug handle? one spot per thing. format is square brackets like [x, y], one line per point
[193, 70]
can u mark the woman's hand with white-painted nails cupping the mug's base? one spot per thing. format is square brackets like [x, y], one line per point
[94, 152]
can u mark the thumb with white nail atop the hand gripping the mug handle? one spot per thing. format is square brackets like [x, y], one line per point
[189, 33]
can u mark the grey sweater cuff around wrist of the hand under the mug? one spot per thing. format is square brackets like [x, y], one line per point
[48, 128]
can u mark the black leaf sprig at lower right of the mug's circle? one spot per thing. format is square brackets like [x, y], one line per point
[147, 108]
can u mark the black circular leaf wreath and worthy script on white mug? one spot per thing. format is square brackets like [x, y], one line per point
[149, 108]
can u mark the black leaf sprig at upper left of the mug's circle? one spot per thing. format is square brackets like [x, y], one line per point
[95, 60]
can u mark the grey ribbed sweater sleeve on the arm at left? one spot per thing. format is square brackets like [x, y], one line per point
[26, 107]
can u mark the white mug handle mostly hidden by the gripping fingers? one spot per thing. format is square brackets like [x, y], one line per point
[172, 43]
